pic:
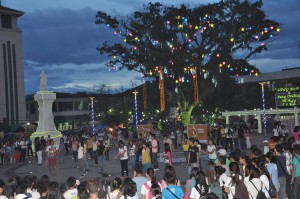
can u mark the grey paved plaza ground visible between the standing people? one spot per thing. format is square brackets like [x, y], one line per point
[67, 167]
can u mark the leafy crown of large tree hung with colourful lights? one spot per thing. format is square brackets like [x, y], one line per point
[182, 43]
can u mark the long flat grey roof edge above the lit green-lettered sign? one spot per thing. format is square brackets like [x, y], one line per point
[263, 77]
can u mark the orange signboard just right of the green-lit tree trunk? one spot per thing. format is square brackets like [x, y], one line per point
[198, 131]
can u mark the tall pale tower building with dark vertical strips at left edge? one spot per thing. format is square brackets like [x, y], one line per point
[12, 93]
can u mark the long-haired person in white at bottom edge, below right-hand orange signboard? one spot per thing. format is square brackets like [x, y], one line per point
[201, 188]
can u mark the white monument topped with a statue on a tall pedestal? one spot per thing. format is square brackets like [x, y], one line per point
[45, 99]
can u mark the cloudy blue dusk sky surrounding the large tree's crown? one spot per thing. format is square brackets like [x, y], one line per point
[60, 36]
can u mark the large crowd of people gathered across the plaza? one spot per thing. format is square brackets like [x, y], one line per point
[270, 172]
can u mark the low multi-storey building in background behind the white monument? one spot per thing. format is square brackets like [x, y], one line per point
[72, 110]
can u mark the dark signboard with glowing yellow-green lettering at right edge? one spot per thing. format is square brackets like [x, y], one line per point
[287, 97]
